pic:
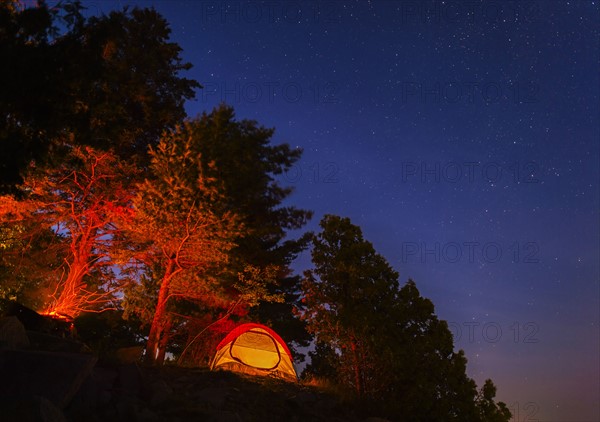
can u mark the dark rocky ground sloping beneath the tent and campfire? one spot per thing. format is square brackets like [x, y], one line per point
[48, 377]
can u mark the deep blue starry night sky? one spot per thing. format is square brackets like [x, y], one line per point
[463, 137]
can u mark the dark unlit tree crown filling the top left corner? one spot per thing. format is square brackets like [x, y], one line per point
[98, 84]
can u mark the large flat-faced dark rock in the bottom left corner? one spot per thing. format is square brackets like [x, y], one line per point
[55, 376]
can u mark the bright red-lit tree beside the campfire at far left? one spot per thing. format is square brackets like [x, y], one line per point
[78, 202]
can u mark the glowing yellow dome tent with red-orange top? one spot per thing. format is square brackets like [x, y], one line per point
[257, 350]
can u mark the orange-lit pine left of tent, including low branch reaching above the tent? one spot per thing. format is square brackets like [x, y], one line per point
[181, 236]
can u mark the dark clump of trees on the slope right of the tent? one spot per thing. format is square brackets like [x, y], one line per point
[382, 341]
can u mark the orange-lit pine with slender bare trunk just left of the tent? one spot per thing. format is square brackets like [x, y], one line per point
[177, 233]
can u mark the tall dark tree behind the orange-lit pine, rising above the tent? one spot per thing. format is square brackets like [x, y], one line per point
[240, 156]
